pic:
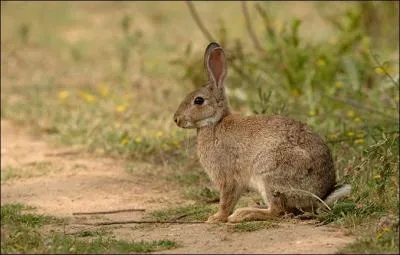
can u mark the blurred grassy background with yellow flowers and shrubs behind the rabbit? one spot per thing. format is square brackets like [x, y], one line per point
[109, 76]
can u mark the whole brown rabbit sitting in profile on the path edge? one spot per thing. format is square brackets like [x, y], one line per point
[280, 158]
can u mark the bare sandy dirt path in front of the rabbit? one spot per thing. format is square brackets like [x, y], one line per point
[62, 181]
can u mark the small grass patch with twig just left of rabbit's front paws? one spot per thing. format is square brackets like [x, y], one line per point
[196, 212]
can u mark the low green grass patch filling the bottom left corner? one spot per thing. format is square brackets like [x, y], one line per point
[22, 233]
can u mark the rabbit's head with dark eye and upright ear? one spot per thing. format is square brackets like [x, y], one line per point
[208, 104]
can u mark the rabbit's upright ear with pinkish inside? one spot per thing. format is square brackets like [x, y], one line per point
[215, 62]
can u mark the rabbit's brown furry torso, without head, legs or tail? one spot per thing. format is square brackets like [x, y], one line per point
[276, 150]
